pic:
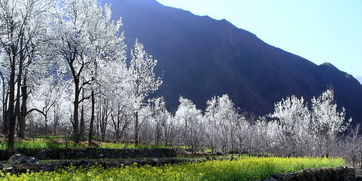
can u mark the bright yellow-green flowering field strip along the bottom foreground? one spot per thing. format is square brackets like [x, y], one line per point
[242, 169]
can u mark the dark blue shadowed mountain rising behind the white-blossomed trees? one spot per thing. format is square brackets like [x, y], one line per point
[200, 57]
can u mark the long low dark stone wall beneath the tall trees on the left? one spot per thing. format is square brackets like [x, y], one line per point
[91, 153]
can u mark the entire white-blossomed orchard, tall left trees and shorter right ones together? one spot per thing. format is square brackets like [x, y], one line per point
[65, 70]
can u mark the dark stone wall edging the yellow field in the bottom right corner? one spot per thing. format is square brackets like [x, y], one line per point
[325, 174]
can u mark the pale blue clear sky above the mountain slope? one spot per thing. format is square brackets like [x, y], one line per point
[318, 30]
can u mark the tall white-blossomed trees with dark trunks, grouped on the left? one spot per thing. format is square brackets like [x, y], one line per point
[66, 60]
